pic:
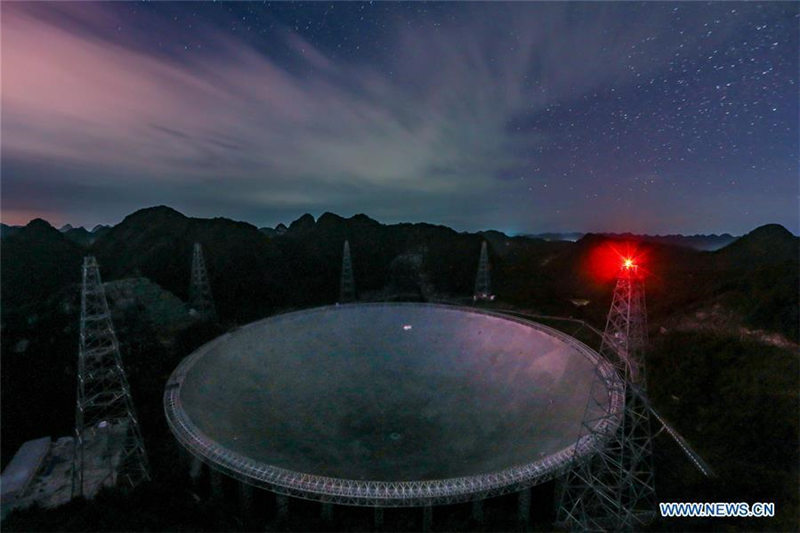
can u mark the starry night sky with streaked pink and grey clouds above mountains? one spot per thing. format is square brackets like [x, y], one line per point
[521, 117]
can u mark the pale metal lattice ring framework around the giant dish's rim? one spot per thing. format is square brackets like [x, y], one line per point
[388, 493]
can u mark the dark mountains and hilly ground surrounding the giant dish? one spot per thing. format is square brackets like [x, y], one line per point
[723, 326]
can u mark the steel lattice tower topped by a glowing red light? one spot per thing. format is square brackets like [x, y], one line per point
[615, 490]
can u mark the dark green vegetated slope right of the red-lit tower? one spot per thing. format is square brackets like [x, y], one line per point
[736, 402]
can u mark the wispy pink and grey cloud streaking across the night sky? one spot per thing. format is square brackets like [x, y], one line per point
[430, 118]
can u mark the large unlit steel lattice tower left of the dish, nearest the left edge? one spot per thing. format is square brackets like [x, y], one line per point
[105, 420]
